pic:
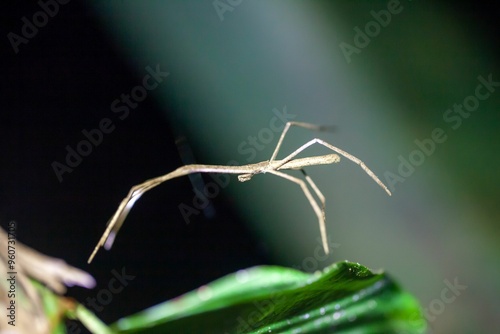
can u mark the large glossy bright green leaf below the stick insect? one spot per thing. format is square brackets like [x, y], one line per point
[343, 298]
